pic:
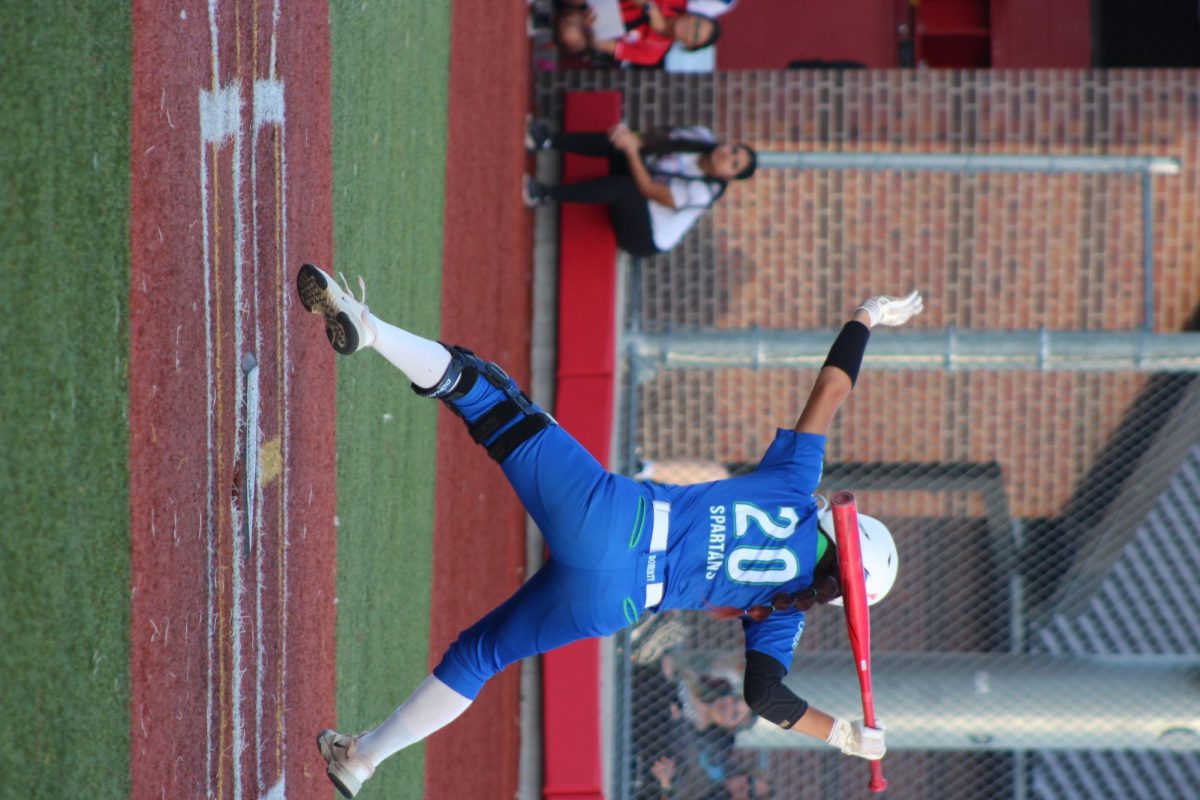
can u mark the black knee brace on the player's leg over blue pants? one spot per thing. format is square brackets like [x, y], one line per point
[493, 429]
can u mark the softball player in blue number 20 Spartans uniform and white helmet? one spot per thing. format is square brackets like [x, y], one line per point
[753, 548]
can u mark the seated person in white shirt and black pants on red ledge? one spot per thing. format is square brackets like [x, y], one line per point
[658, 187]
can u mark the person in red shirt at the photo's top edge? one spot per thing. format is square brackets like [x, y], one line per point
[652, 27]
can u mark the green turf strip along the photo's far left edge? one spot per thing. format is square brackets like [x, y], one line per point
[64, 339]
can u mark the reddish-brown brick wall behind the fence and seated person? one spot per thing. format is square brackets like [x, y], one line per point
[993, 252]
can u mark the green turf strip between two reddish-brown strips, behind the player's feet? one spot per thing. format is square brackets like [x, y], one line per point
[391, 73]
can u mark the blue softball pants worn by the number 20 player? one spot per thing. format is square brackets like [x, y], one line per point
[597, 527]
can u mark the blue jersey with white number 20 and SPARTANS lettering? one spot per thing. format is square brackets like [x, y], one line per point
[740, 542]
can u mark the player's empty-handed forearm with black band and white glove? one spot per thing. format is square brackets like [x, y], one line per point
[841, 370]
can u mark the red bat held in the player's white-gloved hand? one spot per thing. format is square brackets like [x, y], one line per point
[859, 622]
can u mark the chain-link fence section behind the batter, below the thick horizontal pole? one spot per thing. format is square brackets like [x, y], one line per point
[1046, 655]
